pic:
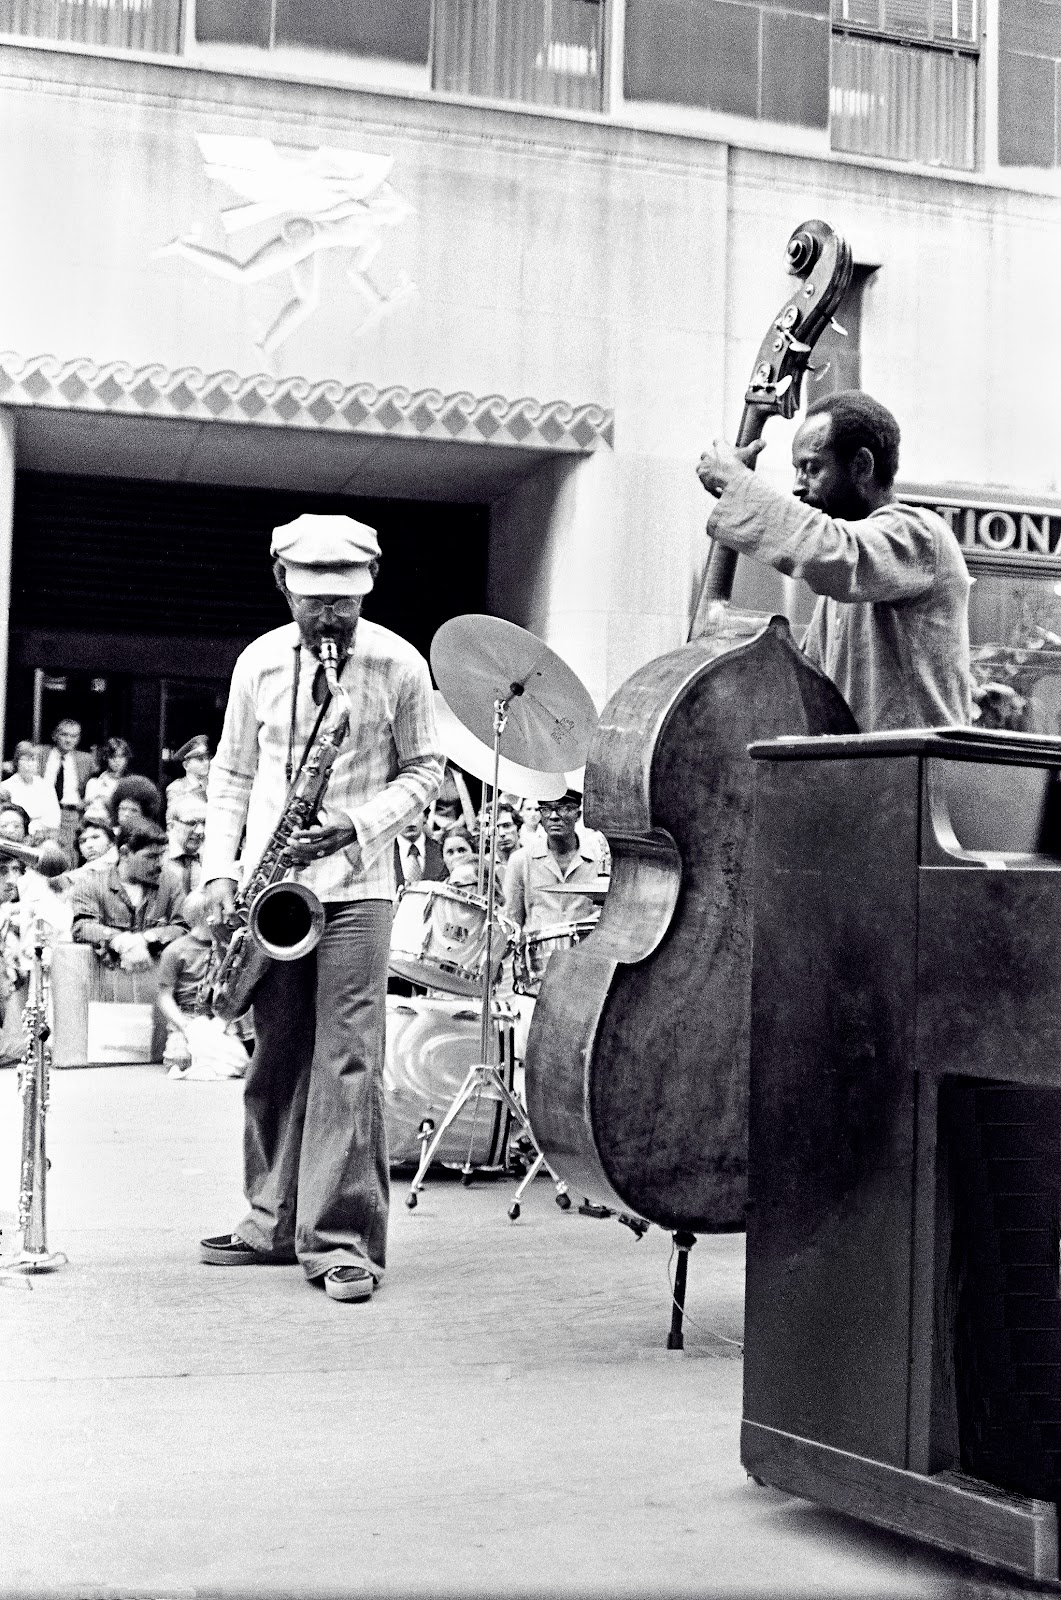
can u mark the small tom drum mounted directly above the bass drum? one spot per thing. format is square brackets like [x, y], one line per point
[439, 938]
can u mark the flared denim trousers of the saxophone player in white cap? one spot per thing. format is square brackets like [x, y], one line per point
[314, 1140]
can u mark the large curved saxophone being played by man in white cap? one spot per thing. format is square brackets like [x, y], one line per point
[274, 919]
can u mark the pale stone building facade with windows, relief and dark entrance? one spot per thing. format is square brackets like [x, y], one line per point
[492, 273]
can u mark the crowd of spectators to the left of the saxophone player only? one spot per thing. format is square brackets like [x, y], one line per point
[132, 870]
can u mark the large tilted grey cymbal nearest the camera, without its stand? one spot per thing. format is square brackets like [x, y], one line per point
[551, 718]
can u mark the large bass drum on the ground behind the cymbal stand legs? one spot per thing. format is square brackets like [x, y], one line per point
[431, 1044]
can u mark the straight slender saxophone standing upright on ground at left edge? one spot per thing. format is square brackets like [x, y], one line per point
[34, 1087]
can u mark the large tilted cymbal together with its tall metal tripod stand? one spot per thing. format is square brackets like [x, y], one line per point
[500, 678]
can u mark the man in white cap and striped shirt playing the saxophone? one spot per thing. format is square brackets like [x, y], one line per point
[314, 1146]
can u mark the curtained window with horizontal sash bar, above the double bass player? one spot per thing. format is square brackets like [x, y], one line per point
[905, 79]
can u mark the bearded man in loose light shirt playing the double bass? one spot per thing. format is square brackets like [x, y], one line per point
[892, 622]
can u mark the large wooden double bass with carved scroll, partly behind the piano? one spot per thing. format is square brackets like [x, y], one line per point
[639, 1046]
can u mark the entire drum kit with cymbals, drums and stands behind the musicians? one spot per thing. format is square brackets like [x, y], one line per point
[513, 714]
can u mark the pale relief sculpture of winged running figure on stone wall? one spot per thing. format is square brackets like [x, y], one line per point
[308, 201]
